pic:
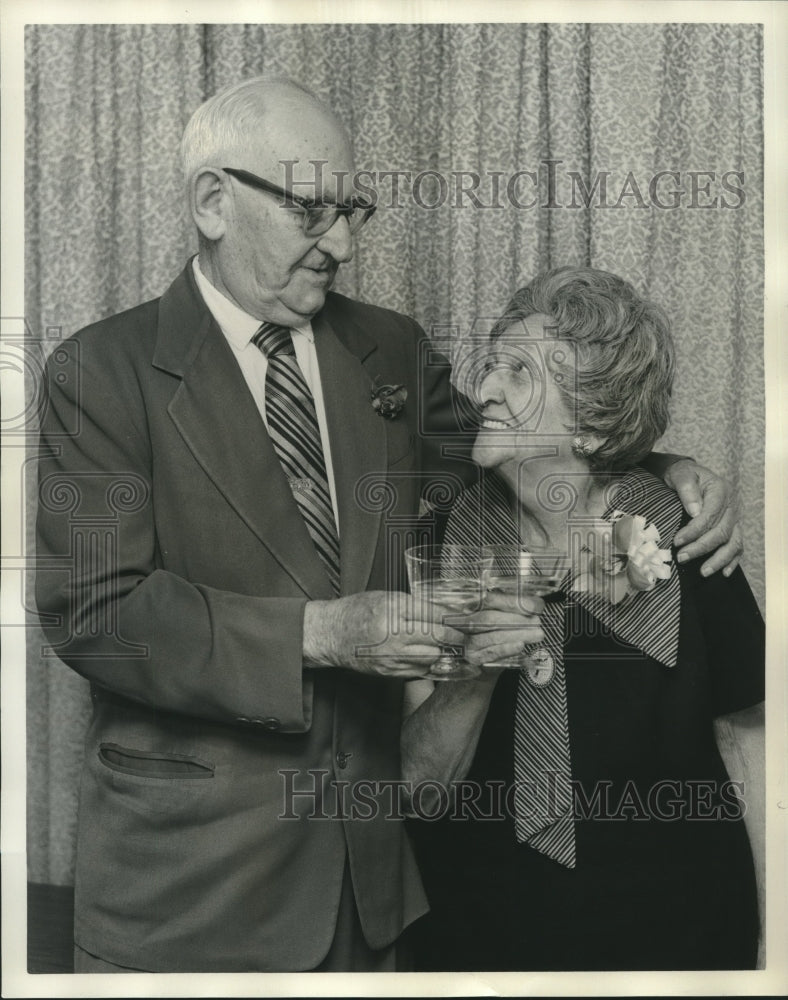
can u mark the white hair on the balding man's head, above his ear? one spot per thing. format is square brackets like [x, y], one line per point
[224, 123]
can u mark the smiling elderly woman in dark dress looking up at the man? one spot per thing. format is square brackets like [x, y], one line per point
[589, 821]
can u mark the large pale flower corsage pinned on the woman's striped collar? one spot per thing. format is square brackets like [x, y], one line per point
[623, 559]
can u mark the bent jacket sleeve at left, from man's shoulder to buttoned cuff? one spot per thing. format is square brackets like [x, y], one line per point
[107, 607]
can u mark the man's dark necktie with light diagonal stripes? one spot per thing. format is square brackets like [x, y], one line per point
[295, 435]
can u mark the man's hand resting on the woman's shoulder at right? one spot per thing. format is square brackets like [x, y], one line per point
[714, 525]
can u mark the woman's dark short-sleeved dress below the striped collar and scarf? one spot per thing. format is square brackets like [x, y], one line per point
[664, 876]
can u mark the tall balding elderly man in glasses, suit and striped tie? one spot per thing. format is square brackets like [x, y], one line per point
[225, 431]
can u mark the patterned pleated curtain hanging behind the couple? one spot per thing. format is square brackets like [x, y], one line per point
[499, 150]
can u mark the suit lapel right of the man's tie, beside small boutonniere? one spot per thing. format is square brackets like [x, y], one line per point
[357, 438]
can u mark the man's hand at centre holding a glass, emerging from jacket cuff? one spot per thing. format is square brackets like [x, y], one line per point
[378, 632]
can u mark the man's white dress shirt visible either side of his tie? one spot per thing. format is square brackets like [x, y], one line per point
[239, 327]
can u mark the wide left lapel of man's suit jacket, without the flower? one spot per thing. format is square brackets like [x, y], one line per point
[216, 416]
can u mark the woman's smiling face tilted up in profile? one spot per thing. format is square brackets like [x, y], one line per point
[523, 412]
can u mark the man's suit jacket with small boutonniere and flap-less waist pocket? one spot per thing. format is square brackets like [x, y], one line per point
[174, 572]
